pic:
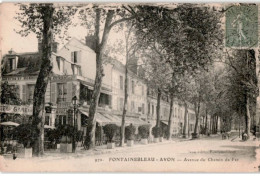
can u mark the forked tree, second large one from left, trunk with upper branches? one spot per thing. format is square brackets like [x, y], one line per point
[111, 17]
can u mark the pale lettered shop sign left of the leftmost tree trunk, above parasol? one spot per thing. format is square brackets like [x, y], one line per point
[15, 109]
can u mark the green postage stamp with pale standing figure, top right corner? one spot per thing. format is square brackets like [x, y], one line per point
[242, 26]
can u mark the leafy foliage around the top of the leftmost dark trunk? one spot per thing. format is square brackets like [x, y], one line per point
[31, 16]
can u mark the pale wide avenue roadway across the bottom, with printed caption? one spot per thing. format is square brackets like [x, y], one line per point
[206, 154]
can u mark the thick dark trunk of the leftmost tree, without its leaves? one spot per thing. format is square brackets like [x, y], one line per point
[42, 81]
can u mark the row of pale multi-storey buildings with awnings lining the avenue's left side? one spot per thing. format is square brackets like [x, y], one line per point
[73, 74]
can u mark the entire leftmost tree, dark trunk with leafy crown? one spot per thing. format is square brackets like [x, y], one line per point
[43, 20]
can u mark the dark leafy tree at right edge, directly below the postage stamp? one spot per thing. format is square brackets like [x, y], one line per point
[244, 89]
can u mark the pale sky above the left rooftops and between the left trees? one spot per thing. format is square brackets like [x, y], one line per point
[12, 40]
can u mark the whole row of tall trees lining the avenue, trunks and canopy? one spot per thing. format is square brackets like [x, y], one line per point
[177, 45]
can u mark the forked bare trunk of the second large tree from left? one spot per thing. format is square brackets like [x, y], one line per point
[91, 122]
